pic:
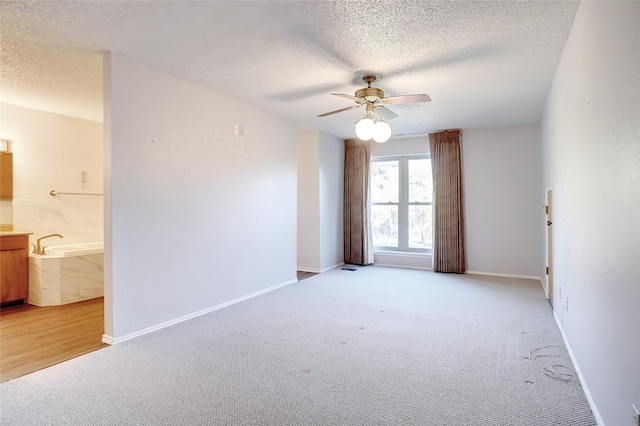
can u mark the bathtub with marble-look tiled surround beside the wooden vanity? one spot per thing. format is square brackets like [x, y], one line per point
[66, 274]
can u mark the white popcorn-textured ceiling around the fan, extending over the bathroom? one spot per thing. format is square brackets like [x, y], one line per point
[483, 63]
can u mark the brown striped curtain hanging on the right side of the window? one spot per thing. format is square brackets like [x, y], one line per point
[448, 217]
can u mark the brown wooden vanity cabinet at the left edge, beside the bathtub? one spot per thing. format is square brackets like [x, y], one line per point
[14, 268]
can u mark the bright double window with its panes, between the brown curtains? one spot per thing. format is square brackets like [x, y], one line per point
[401, 203]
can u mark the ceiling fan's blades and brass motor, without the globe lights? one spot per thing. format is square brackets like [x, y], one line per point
[374, 99]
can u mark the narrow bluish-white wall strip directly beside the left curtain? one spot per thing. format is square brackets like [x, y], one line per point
[331, 196]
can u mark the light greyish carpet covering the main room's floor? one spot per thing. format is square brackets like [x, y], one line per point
[377, 346]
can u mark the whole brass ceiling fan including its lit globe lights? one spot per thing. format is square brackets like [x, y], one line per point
[372, 125]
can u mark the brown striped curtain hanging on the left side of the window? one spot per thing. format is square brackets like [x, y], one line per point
[358, 246]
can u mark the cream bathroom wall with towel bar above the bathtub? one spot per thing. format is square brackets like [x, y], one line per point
[50, 151]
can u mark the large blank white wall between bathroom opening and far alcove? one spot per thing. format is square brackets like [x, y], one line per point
[191, 223]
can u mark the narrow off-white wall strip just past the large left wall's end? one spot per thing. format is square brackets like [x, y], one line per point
[308, 201]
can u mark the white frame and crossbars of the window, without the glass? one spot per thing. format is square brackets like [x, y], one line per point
[403, 203]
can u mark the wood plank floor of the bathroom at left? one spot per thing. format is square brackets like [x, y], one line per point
[33, 338]
